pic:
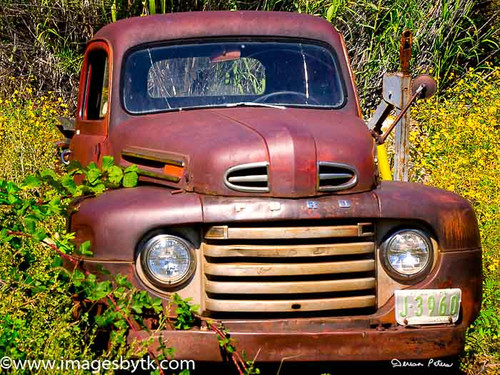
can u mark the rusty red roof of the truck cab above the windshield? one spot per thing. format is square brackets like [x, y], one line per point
[127, 33]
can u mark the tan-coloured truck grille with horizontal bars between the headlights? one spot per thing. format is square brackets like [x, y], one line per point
[297, 270]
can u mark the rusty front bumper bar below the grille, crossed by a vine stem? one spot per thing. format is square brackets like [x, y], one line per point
[348, 345]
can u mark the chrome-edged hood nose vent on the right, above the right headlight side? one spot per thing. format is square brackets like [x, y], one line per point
[336, 176]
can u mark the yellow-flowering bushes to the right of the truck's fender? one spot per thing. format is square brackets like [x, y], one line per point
[456, 146]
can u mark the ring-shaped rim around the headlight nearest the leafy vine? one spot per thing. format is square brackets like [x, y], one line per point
[148, 278]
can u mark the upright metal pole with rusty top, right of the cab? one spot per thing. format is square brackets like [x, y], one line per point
[401, 147]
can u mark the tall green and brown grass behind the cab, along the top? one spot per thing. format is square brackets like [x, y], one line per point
[46, 39]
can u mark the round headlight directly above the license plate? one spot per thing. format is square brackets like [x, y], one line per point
[407, 255]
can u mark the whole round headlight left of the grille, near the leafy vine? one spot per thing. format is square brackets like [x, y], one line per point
[166, 261]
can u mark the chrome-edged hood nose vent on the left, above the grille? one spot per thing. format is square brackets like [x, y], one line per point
[248, 178]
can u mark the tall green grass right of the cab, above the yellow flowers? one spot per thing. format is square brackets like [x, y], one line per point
[449, 36]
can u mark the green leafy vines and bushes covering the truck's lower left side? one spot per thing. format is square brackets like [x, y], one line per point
[51, 313]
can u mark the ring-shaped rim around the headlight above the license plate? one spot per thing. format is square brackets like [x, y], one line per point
[392, 272]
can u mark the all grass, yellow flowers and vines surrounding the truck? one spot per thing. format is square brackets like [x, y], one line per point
[456, 146]
